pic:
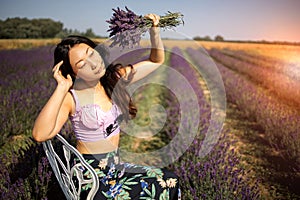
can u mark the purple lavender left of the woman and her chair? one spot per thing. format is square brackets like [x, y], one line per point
[25, 87]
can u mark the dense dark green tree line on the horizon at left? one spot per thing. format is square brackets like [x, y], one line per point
[19, 28]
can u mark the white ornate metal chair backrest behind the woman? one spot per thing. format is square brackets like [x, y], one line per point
[68, 173]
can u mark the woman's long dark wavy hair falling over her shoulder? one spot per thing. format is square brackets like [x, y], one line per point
[112, 81]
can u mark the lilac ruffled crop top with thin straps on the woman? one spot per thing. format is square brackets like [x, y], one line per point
[91, 123]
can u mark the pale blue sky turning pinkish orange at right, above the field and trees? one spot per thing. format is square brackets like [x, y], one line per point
[271, 20]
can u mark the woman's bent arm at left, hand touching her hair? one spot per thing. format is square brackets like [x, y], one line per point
[56, 111]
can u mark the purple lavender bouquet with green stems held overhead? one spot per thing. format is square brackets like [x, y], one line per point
[126, 28]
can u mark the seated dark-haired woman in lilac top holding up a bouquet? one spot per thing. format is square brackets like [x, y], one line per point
[95, 101]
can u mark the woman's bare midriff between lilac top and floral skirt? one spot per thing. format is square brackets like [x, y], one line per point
[101, 146]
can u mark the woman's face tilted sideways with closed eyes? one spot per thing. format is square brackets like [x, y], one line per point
[86, 63]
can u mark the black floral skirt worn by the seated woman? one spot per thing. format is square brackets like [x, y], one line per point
[128, 181]
